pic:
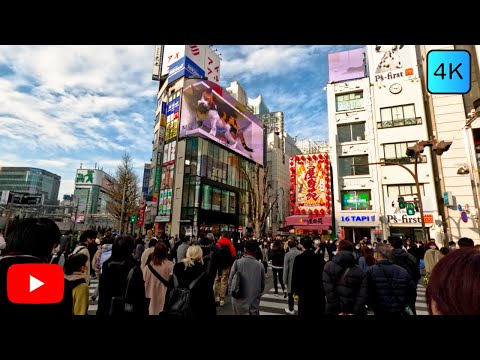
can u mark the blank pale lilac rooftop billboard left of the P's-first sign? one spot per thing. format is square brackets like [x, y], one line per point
[346, 65]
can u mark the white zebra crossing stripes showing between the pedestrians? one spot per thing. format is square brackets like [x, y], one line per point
[272, 304]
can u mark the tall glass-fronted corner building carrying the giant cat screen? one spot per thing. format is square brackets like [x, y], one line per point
[197, 166]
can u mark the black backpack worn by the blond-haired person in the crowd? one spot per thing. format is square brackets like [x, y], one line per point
[177, 302]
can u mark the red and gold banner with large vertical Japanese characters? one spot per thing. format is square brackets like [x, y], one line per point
[310, 184]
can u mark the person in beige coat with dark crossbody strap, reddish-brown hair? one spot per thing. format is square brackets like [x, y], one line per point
[155, 289]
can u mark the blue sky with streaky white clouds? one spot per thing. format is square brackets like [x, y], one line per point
[66, 105]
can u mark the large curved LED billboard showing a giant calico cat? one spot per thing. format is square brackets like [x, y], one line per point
[211, 112]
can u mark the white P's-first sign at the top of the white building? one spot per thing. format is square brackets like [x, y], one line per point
[392, 62]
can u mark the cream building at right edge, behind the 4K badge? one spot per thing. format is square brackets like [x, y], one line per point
[456, 171]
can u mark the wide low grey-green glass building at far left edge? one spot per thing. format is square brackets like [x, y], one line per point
[33, 185]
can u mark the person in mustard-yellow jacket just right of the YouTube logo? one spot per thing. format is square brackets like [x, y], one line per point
[75, 269]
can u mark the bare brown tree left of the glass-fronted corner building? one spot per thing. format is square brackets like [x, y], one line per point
[124, 190]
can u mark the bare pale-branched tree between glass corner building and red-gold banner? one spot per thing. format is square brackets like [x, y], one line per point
[260, 205]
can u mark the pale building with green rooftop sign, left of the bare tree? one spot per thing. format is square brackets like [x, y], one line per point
[91, 197]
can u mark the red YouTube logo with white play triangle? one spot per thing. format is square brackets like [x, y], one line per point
[35, 284]
